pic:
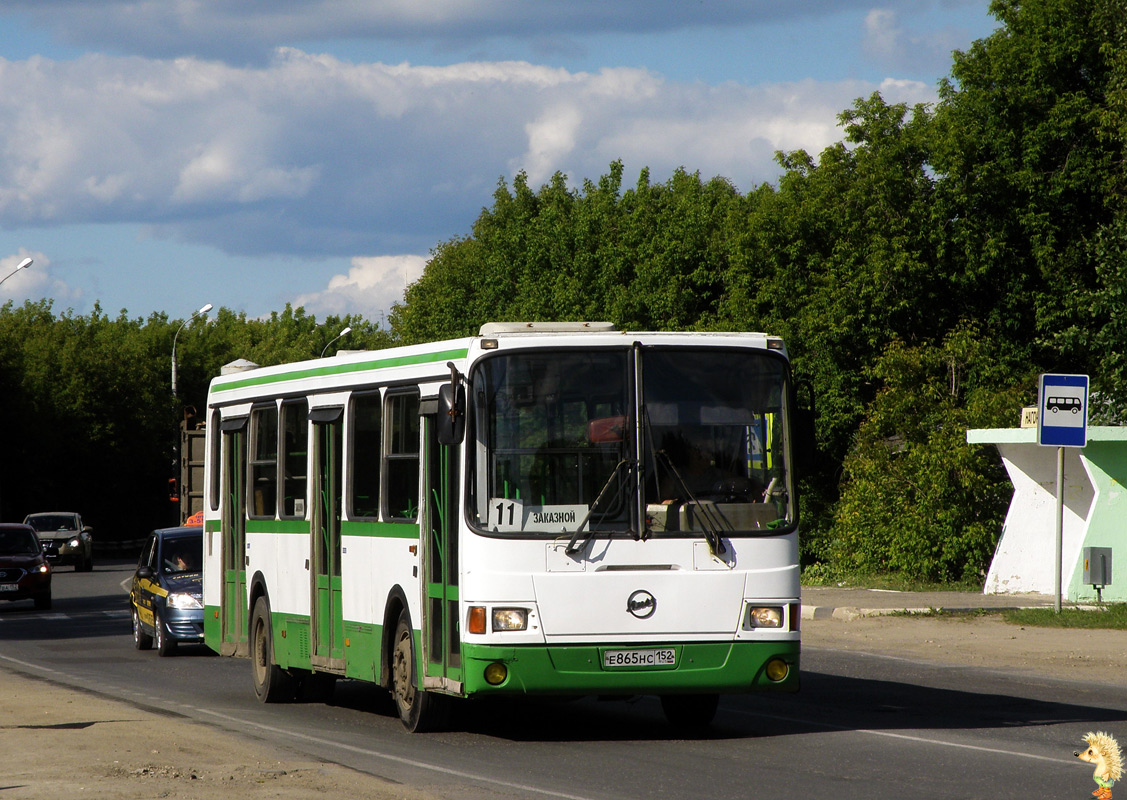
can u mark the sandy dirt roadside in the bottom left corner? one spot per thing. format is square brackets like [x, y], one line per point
[60, 743]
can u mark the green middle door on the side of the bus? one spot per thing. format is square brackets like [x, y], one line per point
[327, 606]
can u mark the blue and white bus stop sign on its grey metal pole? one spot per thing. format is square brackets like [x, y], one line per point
[1062, 422]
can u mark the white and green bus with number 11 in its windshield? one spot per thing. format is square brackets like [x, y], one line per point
[540, 510]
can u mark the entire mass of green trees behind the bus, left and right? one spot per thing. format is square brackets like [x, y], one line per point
[924, 272]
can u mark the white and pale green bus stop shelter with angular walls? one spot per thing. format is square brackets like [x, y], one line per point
[1095, 513]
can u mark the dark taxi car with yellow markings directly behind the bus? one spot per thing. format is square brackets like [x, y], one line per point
[166, 600]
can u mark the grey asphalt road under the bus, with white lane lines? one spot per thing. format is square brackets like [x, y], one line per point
[864, 726]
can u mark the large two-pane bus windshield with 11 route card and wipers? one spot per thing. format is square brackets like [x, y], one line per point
[558, 446]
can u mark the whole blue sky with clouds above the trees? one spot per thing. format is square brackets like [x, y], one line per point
[159, 156]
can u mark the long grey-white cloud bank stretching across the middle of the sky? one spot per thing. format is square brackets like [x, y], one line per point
[316, 156]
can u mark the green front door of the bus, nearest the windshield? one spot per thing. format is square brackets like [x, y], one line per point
[441, 630]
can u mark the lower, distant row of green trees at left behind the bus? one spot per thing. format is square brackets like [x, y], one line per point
[91, 420]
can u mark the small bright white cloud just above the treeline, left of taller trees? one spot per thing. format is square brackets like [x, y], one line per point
[370, 289]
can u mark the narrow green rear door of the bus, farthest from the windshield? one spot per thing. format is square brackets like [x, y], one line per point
[234, 534]
